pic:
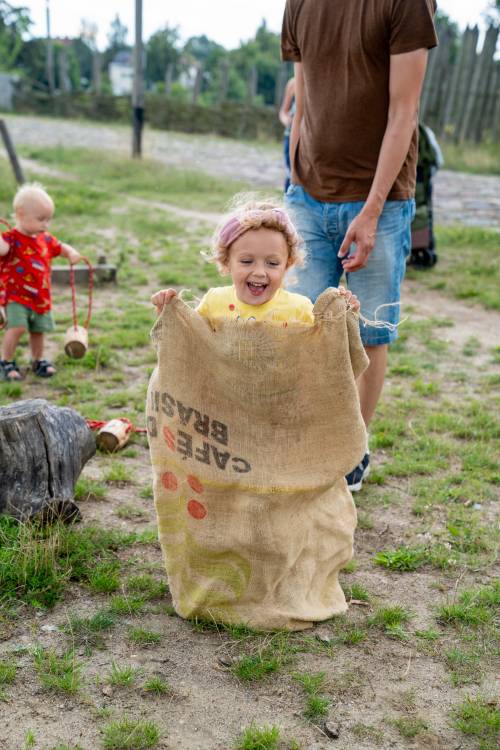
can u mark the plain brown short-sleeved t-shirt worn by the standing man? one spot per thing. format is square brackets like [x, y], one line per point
[345, 47]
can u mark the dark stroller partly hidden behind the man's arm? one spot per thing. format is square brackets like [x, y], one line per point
[430, 159]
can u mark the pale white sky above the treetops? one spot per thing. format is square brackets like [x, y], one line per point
[224, 21]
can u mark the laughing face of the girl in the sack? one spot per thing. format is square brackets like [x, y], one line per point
[257, 263]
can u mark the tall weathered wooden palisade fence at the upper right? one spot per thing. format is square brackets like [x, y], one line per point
[461, 96]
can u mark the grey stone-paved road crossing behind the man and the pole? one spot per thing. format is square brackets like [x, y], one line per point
[463, 198]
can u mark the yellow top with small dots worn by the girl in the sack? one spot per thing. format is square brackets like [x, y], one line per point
[284, 307]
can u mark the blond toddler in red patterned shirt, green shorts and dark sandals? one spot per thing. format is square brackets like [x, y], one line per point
[26, 253]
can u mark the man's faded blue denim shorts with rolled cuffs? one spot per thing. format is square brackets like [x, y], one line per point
[323, 226]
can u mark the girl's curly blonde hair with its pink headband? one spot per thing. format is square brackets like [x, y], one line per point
[247, 211]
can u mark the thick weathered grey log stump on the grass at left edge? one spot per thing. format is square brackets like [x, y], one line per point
[43, 449]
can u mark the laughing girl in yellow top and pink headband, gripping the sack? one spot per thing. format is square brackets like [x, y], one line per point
[256, 244]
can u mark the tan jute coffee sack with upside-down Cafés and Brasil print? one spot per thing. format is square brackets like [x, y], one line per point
[252, 427]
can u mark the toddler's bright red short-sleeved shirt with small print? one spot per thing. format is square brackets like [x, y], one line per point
[25, 270]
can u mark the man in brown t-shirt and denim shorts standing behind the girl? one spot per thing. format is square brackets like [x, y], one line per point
[359, 69]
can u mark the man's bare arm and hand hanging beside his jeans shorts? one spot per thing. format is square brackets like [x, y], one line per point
[405, 84]
